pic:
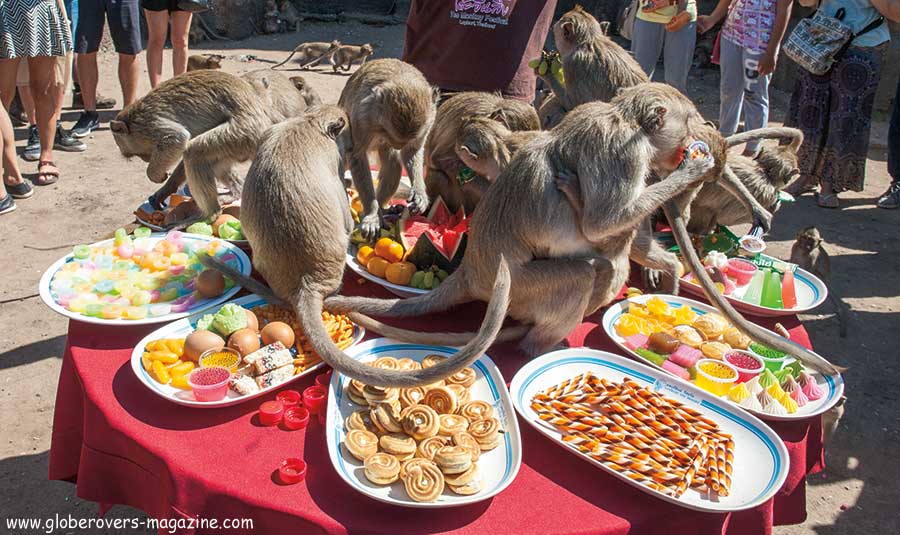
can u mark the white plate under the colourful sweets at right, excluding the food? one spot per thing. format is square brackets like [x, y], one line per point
[832, 385]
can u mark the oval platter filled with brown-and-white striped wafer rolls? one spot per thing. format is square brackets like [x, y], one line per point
[666, 438]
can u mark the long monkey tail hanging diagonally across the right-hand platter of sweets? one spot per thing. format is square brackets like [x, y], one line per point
[807, 357]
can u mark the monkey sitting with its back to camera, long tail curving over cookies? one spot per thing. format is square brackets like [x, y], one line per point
[296, 216]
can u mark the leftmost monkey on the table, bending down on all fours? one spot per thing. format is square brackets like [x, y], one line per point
[209, 119]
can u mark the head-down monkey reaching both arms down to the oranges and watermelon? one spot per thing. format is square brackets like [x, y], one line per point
[391, 107]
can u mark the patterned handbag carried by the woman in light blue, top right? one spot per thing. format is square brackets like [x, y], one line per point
[819, 41]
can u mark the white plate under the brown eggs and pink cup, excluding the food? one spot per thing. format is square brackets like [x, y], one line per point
[184, 327]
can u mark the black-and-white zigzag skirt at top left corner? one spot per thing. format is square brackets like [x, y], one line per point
[33, 28]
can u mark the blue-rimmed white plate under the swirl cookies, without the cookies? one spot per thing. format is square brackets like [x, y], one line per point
[497, 467]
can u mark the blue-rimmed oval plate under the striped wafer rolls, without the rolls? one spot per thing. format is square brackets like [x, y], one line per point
[760, 458]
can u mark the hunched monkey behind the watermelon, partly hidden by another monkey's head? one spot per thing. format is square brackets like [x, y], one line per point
[441, 159]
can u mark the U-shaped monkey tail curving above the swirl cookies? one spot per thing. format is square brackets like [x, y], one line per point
[309, 313]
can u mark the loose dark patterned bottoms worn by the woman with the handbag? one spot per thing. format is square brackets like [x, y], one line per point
[834, 111]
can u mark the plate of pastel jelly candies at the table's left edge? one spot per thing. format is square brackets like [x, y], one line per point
[140, 279]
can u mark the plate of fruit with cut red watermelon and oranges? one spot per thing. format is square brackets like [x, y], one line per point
[415, 253]
